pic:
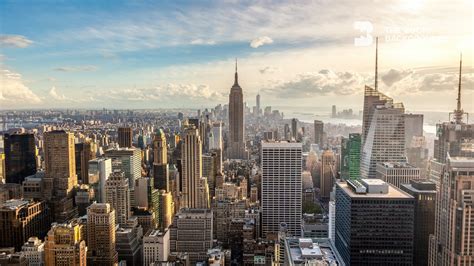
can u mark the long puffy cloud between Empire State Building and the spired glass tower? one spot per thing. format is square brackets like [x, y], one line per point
[321, 83]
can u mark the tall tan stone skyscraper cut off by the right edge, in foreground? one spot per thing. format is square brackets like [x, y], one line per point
[452, 242]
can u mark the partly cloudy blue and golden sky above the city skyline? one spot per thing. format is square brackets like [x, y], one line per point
[306, 55]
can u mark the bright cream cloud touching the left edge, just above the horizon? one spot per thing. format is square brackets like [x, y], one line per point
[14, 91]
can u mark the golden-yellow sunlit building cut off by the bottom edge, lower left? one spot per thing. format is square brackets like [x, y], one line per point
[64, 245]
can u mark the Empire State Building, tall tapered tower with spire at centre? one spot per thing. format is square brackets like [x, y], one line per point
[236, 147]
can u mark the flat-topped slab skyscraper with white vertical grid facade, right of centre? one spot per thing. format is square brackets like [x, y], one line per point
[281, 186]
